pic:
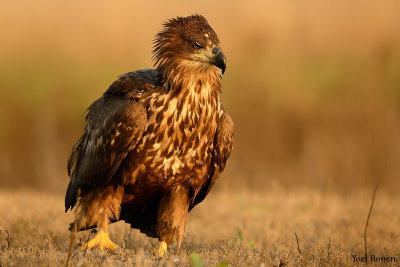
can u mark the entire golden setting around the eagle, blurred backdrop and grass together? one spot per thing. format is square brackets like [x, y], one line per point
[313, 88]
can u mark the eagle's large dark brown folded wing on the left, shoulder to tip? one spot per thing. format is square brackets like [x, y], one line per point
[114, 125]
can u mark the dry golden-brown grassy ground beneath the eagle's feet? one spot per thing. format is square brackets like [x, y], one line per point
[241, 228]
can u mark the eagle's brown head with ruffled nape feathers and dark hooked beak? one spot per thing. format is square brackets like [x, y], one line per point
[188, 44]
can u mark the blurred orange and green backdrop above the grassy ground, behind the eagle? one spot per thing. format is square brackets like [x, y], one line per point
[313, 86]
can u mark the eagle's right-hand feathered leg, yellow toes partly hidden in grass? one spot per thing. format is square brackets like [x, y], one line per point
[171, 218]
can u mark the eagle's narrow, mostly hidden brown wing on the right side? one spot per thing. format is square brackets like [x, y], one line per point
[223, 144]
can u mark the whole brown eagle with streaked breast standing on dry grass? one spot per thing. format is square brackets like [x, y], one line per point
[155, 142]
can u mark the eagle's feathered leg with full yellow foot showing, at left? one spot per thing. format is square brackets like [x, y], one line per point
[97, 208]
